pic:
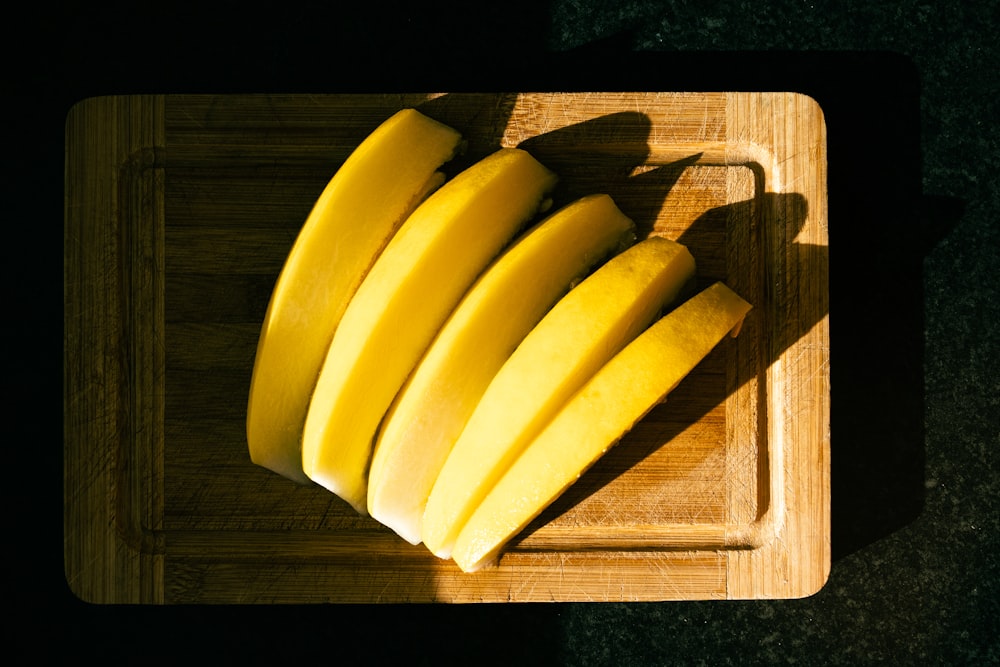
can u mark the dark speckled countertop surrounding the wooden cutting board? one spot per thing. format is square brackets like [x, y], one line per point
[909, 90]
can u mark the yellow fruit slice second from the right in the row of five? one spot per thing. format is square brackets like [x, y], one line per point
[581, 332]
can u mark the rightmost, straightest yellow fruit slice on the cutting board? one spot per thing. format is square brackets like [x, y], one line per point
[607, 407]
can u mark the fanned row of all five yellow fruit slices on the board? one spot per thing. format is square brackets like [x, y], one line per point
[450, 360]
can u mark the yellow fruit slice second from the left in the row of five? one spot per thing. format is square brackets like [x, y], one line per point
[410, 291]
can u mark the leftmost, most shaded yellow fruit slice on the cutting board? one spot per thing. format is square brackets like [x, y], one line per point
[364, 203]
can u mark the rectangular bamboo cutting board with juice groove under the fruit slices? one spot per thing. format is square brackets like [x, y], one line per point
[180, 211]
